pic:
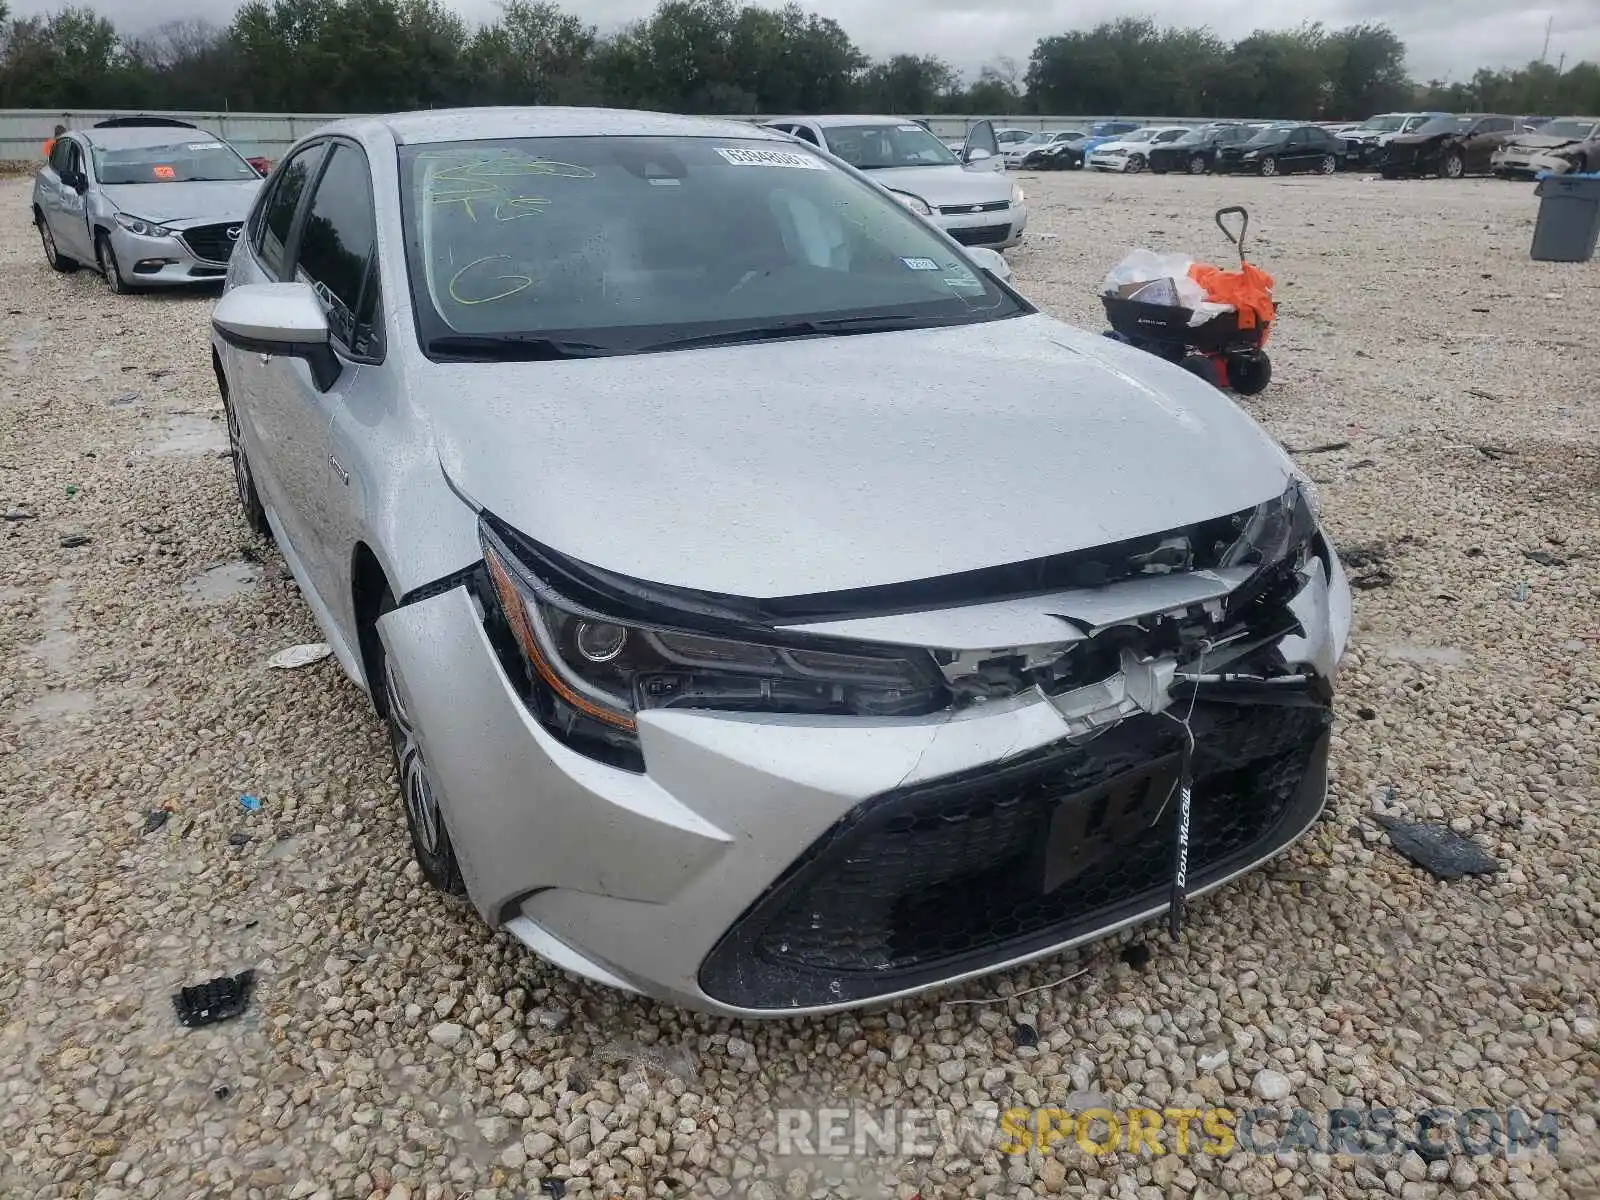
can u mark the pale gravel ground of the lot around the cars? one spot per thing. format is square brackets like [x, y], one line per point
[396, 1049]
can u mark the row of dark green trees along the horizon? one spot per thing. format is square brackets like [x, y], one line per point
[719, 57]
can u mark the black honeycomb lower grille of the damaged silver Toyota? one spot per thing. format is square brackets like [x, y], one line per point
[934, 881]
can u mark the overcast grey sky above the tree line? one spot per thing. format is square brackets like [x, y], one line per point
[1446, 38]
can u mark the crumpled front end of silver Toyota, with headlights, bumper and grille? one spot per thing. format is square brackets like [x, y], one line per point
[783, 855]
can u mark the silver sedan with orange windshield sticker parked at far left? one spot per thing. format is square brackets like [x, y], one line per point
[148, 202]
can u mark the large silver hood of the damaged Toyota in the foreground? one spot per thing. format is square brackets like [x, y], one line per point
[825, 465]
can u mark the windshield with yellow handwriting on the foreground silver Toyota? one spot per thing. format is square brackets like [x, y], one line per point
[628, 244]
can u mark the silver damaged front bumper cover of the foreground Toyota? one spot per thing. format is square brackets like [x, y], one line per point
[778, 865]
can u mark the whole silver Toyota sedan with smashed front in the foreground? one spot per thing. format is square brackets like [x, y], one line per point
[770, 610]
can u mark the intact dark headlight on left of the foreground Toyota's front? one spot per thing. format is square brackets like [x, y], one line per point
[590, 674]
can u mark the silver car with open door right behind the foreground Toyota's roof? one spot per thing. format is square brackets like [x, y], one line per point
[969, 196]
